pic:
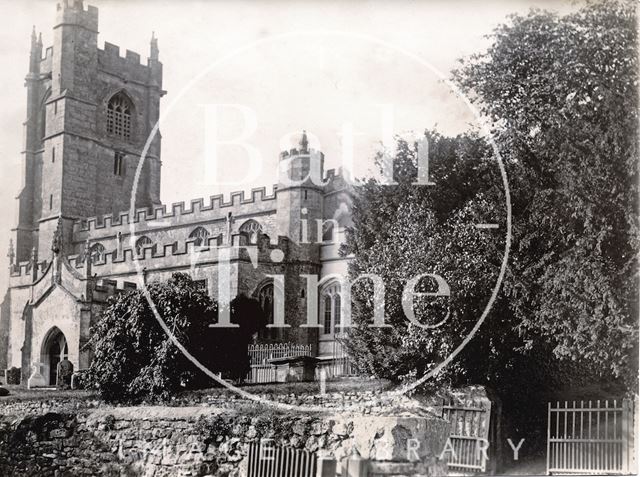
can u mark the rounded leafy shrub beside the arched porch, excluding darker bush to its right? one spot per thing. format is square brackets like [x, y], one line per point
[134, 359]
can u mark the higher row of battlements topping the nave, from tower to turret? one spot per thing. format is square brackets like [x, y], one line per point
[216, 207]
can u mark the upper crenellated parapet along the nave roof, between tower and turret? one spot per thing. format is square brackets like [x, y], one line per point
[238, 203]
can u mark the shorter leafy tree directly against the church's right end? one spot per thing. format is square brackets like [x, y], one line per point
[402, 231]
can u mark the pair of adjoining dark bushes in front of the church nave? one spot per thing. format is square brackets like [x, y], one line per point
[135, 360]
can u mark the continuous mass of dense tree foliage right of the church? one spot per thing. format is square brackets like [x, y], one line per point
[561, 95]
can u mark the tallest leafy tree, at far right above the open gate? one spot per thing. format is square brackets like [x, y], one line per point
[562, 94]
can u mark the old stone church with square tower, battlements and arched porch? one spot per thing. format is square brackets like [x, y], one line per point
[76, 242]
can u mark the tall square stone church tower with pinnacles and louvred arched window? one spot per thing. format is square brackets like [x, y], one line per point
[89, 114]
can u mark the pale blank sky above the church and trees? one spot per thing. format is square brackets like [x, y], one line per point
[264, 71]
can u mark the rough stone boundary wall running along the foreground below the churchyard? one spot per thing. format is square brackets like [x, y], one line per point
[196, 441]
